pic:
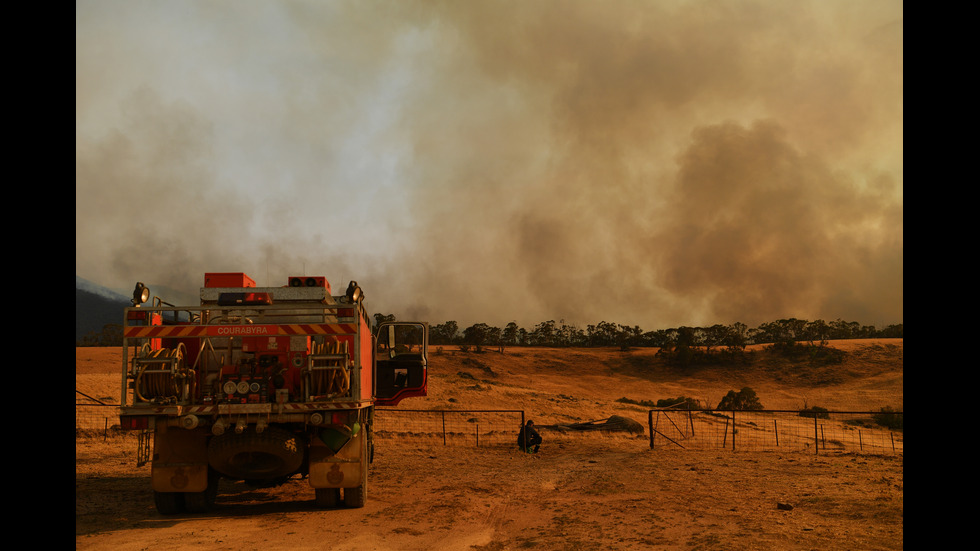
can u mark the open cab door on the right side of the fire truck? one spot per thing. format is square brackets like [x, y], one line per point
[400, 361]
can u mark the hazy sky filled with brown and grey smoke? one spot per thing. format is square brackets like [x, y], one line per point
[649, 162]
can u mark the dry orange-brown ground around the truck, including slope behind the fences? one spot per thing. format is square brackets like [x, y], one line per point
[581, 492]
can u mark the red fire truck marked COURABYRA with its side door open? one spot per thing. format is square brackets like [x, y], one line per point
[261, 384]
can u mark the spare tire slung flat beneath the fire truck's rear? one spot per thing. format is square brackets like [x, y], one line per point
[271, 454]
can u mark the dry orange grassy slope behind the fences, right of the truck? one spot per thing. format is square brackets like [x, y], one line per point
[581, 384]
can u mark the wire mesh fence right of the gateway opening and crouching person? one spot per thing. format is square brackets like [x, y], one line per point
[823, 431]
